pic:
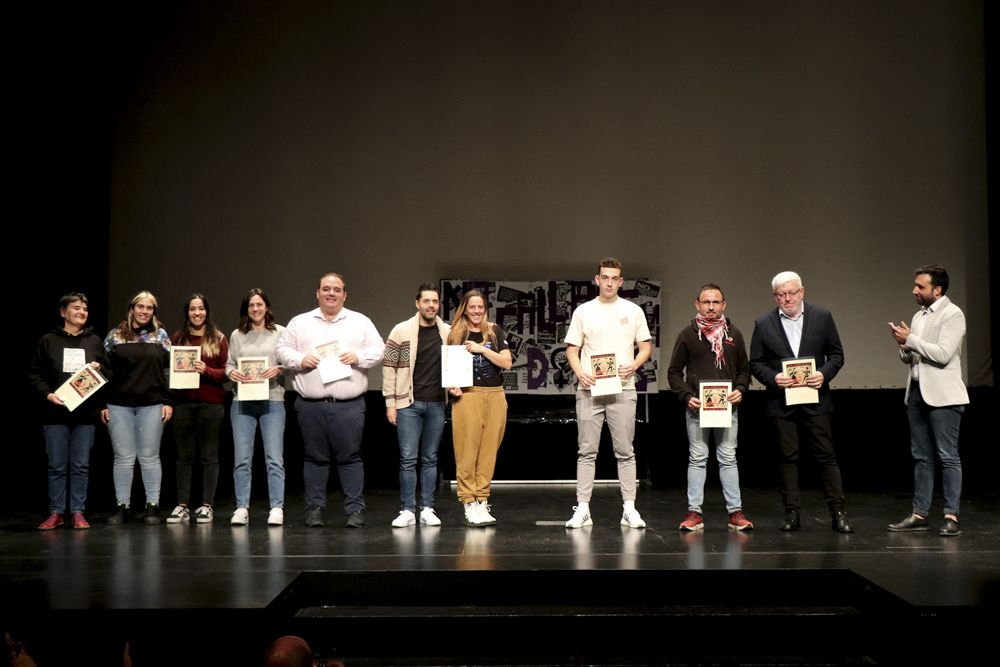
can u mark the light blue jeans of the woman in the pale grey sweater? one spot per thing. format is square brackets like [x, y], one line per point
[244, 416]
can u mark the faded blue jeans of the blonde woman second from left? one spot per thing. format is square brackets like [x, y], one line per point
[135, 434]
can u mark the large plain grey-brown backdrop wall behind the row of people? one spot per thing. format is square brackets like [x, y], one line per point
[261, 144]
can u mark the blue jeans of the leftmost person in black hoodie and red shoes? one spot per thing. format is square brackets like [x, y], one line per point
[68, 448]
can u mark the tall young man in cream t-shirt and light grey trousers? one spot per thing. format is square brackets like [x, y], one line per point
[602, 326]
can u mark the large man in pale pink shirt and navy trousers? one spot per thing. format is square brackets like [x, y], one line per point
[331, 408]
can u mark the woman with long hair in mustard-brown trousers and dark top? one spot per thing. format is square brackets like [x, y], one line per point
[479, 412]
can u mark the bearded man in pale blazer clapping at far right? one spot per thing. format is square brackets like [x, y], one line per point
[935, 397]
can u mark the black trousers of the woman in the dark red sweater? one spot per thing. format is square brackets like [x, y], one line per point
[196, 426]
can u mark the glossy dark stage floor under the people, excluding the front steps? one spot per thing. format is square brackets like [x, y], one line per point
[183, 568]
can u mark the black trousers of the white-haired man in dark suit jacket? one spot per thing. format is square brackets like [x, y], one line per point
[817, 431]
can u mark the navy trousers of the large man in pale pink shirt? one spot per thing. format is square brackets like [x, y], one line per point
[331, 430]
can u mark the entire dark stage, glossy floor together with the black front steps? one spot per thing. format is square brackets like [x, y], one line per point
[169, 588]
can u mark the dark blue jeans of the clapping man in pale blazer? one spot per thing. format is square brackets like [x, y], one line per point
[934, 430]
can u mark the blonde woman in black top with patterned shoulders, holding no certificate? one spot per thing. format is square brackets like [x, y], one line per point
[139, 403]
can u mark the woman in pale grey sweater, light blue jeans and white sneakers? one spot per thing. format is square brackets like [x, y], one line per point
[256, 339]
